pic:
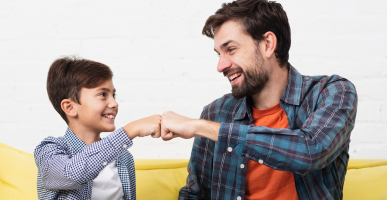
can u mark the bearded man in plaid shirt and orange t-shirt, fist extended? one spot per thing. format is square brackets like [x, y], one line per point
[280, 135]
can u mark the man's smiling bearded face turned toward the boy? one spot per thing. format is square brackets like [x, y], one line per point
[240, 60]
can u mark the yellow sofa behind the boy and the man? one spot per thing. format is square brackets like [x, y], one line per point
[162, 179]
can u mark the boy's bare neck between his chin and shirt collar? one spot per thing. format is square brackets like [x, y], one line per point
[85, 134]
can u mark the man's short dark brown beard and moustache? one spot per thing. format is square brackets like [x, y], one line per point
[255, 79]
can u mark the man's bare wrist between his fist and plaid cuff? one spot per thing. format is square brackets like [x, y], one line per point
[207, 129]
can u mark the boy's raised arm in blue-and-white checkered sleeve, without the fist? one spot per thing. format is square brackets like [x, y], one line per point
[60, 170]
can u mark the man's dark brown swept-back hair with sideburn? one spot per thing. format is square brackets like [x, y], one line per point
[257, 17]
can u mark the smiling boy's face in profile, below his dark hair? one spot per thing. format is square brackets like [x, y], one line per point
[98, 108]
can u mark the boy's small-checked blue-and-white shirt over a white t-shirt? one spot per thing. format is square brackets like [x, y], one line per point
[67, 166]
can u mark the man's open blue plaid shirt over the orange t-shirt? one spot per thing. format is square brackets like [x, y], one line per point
[321, 111]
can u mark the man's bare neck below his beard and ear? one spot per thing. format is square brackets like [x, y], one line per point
[272, 92]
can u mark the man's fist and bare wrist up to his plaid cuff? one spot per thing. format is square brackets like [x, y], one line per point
[174, 125]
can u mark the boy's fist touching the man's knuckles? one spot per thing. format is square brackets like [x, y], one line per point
[144, 127]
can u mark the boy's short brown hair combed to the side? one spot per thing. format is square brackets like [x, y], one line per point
[68, 75]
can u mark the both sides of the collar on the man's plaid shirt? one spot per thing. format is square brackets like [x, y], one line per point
[291, 95]
